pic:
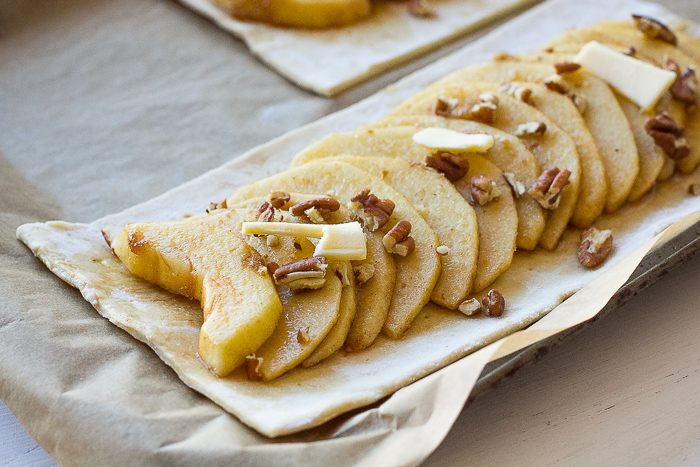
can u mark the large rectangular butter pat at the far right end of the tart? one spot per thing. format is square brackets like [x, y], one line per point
[639, 81]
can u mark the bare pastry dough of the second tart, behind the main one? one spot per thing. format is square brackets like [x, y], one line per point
[332, 60]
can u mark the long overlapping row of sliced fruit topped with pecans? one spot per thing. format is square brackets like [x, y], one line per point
[441, 221]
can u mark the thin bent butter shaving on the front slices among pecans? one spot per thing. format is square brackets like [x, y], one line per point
[337, 241]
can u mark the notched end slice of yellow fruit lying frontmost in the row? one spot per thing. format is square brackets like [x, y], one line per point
[204, 259]
